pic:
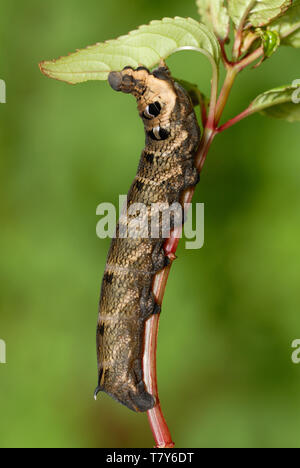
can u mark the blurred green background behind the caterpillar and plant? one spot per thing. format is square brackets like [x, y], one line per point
[231, 309]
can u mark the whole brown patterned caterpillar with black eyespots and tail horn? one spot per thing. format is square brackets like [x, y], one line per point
[165, 170]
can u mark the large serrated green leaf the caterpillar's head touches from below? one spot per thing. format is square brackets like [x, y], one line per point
[145, 46]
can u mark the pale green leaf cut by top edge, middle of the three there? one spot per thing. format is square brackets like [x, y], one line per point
[257, 13]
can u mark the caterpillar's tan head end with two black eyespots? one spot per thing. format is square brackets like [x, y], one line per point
[155, 94]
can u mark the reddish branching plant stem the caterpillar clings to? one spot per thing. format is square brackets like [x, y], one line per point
[157, 421]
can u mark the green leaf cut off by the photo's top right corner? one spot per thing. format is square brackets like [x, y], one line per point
[288, 26]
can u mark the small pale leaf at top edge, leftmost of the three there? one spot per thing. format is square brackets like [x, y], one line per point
[214, 15]
